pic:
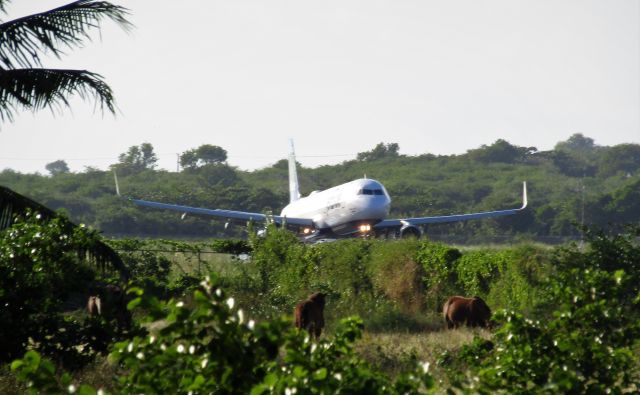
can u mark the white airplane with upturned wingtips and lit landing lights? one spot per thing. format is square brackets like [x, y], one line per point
[356, 208]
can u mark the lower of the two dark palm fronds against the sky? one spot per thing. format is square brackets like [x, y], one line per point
[36, 89]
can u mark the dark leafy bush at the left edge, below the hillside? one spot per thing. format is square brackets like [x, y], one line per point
[40, 266]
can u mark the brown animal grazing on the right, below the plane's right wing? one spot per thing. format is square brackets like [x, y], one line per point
[472, 312]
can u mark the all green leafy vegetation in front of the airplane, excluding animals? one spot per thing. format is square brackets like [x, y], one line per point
[566, 318]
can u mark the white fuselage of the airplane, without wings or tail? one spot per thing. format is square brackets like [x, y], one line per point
[362, 200]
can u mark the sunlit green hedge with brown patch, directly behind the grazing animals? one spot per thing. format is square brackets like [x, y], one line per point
[393, 284]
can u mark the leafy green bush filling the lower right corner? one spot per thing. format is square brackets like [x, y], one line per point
[587, 344]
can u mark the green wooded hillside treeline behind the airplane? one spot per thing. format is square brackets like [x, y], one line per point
[578, 182]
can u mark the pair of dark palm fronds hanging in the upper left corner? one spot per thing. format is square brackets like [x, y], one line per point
[24, 83]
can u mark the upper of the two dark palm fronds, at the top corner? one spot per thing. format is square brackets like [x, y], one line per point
[23, 39]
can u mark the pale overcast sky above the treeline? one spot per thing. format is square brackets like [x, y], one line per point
[341, 76]
